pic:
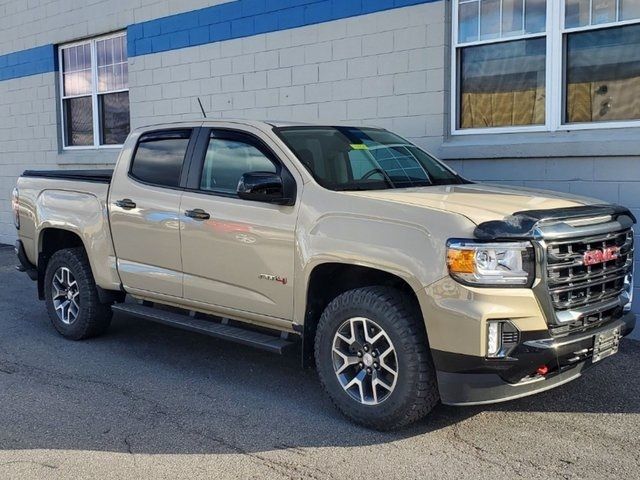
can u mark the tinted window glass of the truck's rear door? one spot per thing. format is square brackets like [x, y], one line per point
[159, 157]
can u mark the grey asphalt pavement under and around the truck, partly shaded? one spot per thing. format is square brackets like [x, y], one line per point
[147, 401]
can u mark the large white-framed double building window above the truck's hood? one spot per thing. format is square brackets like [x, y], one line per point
[535, 65]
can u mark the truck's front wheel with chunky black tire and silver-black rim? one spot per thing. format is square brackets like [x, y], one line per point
[373, 358]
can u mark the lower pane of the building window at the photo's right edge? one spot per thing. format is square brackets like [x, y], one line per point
[603, 75]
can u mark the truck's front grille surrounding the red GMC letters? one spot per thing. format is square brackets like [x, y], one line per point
[573, 285]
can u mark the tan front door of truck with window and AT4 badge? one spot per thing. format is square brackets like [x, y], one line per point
[236, 253]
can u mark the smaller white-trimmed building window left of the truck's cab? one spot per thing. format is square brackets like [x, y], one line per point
[94, 92]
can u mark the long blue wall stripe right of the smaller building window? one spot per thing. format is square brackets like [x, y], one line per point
[245, 18]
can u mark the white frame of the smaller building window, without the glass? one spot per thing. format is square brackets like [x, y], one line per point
[93, 94]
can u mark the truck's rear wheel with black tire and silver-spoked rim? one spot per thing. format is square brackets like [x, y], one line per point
[71, 295]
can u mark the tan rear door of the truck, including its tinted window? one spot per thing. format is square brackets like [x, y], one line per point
[144, 206]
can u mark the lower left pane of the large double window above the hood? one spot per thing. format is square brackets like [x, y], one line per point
[503, 84]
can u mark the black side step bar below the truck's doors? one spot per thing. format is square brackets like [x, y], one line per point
[250, 338]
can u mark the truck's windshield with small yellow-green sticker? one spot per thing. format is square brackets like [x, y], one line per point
[347, 158]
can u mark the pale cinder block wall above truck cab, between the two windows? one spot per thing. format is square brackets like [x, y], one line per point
[383, 69]
